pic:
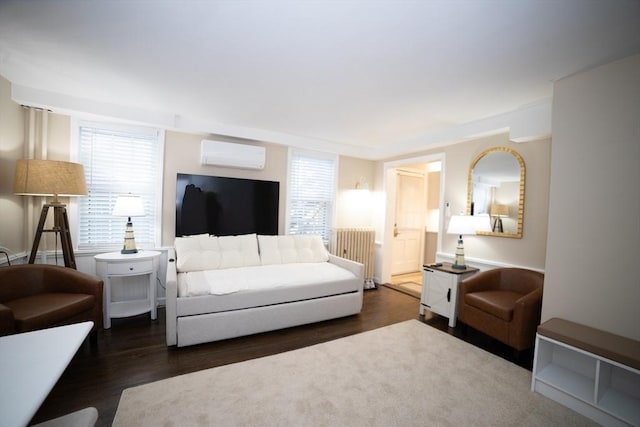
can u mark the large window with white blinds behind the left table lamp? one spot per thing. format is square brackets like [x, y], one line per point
[119, 160]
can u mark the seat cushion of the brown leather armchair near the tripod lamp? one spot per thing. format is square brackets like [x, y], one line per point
[43, 310]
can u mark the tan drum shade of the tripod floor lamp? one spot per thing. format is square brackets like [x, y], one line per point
[49, 178]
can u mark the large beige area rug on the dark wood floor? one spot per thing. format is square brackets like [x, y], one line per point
[407, 374]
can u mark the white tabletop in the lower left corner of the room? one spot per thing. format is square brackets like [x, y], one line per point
[30, 365]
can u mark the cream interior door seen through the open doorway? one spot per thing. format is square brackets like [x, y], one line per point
[409, 223]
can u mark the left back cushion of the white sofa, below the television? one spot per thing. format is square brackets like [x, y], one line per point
[204, 252]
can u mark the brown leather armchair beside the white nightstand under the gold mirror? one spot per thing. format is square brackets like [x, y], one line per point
[504, 303]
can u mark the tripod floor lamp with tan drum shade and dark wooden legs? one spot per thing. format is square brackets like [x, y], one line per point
[51, 178]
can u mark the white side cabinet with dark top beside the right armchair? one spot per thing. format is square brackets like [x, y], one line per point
[440, 289]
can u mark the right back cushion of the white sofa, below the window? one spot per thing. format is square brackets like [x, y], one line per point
[291, 249]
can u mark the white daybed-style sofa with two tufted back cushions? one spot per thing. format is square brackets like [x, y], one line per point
[229, 286]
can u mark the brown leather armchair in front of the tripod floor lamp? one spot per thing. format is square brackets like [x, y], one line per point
[37, 296]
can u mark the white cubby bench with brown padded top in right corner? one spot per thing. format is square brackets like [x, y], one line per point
[593, 372]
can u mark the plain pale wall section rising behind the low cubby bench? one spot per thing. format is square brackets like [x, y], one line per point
[594, 206]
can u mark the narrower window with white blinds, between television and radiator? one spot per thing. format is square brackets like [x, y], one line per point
[312, 189]
